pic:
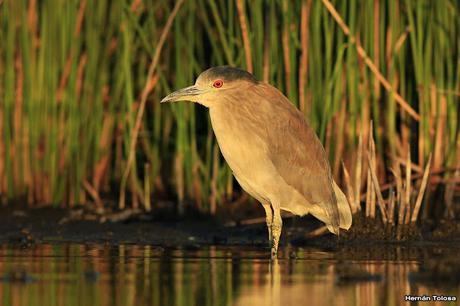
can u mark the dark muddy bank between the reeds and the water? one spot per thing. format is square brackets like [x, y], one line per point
[80, 225]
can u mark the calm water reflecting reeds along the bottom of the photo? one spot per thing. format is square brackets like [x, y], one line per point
[143, 275]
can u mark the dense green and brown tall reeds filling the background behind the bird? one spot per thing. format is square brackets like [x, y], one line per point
[72, 74]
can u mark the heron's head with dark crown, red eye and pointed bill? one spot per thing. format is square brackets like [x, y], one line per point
[213, 85]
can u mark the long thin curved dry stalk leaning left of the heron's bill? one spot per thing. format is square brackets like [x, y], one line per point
[145, 92]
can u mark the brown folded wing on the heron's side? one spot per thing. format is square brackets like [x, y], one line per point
[297, 153]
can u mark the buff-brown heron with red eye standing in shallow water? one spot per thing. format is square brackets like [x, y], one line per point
[274, 154]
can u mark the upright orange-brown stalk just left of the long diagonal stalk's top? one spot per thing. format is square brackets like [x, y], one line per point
[303, 67]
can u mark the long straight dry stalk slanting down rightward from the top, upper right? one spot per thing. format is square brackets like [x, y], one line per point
[362, 53]
